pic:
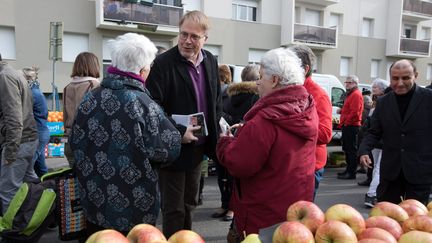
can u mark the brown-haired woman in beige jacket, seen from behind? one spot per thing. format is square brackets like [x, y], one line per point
[85, 77]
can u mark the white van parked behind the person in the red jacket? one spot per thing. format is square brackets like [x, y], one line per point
[334, 90]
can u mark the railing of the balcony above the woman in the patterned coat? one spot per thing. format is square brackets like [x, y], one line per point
[136, 13]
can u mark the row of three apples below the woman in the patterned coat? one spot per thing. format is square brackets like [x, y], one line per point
[144, 233]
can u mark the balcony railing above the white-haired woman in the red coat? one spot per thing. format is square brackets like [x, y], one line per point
[315, 34]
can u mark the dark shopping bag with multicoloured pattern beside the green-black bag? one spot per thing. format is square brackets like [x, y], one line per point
[70, 214]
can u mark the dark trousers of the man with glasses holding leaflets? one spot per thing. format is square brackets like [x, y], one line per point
[179, 195]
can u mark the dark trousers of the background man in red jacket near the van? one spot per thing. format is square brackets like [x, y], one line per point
[350, 147]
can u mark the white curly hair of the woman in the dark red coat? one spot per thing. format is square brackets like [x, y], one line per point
[284, 64]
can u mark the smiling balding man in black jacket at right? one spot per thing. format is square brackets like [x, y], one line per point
[403, 120]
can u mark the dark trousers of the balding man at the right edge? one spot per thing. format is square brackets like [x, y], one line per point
[393, 191]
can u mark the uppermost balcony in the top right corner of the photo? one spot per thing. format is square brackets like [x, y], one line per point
[417, 10]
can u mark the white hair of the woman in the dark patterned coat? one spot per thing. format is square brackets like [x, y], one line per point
[132, 52]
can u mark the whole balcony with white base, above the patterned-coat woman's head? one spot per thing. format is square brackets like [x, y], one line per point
[122, 15]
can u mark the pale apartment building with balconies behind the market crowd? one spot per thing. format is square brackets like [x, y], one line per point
[360, 37]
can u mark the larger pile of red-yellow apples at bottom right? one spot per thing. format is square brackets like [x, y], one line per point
[408, 222]
